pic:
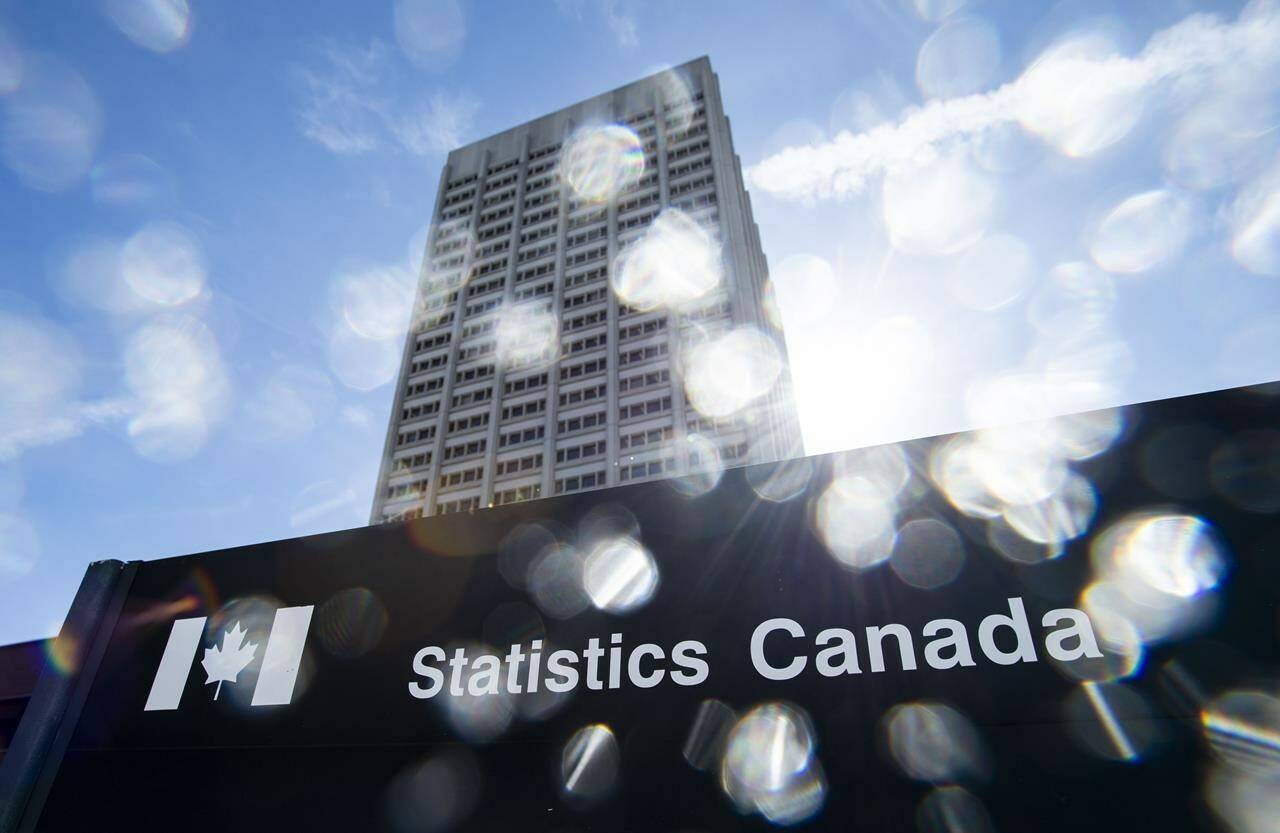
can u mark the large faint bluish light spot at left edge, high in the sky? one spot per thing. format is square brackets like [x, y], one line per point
[52, 126]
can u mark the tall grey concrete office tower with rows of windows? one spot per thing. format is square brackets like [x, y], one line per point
[584, 274]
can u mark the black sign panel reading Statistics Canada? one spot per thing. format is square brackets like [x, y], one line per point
[1055, 628]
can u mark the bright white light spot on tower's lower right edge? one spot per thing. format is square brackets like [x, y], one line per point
[728, 373]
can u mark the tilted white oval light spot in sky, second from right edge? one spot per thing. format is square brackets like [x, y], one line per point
[1144, 232]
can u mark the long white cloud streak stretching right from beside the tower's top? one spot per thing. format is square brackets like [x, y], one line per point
[1080, 97]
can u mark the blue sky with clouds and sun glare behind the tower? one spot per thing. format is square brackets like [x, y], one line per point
[209, 217]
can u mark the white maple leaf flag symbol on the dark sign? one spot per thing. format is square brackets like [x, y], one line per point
[230, 657]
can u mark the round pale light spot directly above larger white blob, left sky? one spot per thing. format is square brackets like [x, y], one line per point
[163, 263]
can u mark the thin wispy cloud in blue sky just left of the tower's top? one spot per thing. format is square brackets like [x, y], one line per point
[351, 104]
